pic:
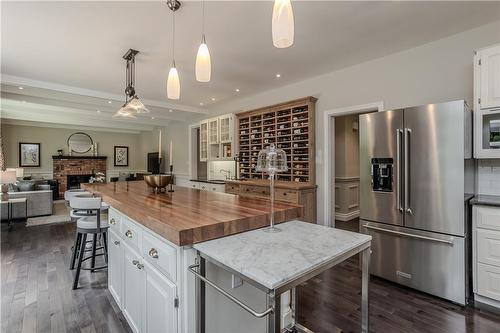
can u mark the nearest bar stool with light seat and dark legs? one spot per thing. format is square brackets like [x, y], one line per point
[88, 211]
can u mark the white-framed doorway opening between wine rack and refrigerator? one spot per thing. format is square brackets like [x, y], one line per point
[347, 179]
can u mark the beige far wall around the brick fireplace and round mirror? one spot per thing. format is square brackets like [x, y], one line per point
[52, 139]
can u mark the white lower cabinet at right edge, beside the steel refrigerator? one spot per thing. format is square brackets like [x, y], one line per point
[486, 254]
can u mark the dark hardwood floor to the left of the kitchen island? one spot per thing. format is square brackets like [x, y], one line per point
[36, 285]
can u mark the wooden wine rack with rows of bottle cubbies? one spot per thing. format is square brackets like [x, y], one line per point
[290, 126]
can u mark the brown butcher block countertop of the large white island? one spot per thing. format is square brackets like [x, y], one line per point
[188, 216]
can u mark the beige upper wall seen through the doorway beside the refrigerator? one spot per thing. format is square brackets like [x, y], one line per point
[346, 147]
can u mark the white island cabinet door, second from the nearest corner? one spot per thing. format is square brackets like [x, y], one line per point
[133, 288]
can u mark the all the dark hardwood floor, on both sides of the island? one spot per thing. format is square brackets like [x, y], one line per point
[37, 295]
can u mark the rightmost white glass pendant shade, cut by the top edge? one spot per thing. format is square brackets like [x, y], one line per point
[282, 24]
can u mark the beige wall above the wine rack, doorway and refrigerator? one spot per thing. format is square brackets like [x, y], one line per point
[437, 71]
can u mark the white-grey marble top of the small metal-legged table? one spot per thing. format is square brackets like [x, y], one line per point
[274, 259]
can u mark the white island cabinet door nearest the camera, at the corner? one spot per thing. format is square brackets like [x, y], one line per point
[160, 303]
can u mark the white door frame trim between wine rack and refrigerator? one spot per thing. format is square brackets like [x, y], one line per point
[329, 165]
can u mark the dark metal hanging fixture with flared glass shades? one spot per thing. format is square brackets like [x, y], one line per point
[132, 103]
